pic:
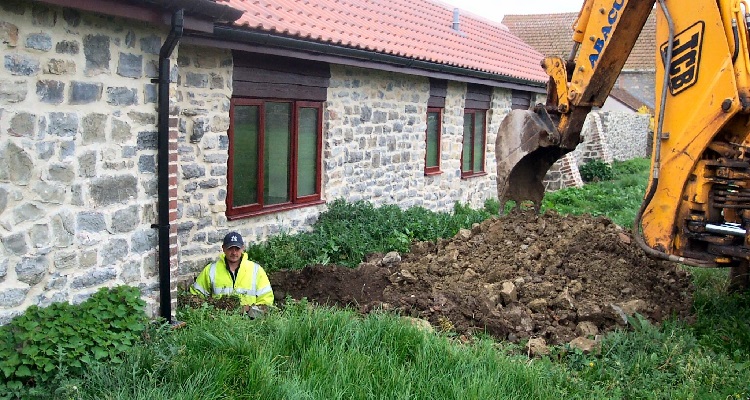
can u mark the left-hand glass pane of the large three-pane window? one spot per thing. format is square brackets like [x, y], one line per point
[245, 156]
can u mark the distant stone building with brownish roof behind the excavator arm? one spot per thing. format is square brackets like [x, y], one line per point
[617, 131]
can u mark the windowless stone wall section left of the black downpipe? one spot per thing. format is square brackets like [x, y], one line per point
[77, 155]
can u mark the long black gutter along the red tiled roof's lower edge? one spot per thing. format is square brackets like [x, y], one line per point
[264, 38]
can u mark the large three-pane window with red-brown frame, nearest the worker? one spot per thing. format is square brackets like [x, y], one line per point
[274, 155]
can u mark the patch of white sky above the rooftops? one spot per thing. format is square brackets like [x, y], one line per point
[496, 9]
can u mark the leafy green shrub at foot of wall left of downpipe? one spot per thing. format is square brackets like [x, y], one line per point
[45, 344]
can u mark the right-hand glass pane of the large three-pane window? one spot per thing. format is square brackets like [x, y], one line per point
[307, 151]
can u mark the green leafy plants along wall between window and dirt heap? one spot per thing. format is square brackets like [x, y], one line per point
[347, 232]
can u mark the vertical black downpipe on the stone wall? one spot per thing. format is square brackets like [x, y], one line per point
[165, 297]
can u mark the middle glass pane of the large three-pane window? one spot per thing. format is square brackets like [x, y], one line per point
[276, 153]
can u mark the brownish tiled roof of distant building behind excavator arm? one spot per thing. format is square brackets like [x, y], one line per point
[551, 35]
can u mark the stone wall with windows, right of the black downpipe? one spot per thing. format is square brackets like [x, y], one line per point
[373, 149]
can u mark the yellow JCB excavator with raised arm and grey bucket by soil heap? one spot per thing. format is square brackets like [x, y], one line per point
[696, 210]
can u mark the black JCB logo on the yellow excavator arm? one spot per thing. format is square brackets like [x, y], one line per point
[686, 56]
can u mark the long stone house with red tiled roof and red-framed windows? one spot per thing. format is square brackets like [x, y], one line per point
[135, 133]
